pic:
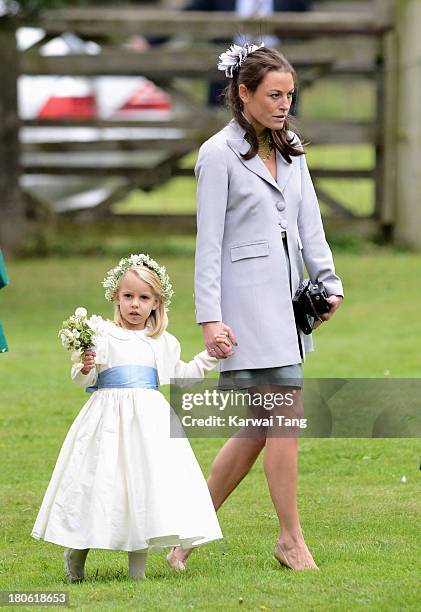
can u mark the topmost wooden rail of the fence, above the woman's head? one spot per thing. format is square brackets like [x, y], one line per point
[117, 23]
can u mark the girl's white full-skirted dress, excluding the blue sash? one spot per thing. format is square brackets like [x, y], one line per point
[121, 481]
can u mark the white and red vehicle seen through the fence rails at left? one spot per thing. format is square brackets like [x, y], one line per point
[85, 98]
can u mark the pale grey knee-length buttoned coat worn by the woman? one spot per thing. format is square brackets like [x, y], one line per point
[241, 276]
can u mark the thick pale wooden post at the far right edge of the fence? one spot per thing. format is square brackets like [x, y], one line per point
[408, 149]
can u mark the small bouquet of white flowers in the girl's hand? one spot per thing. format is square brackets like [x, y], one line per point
[79, 333]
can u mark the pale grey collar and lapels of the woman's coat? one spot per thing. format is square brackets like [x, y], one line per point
[255, 164]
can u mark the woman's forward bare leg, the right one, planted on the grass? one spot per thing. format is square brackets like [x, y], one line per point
[280, 465]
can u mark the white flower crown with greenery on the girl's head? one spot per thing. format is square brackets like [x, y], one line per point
[114, 275]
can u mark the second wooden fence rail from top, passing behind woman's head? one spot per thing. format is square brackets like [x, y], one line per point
[357, 55]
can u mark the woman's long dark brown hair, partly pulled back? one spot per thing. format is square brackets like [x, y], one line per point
[251, 73]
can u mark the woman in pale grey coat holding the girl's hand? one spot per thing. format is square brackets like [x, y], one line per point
[258, 220]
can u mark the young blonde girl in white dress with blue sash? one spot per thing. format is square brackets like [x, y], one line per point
[121, 482]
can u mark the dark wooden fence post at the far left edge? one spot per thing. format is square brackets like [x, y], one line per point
[12, 214]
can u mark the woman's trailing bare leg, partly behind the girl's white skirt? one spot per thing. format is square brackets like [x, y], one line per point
[232, 463]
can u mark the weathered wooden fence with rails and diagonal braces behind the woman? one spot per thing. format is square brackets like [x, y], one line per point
[348, 44]
